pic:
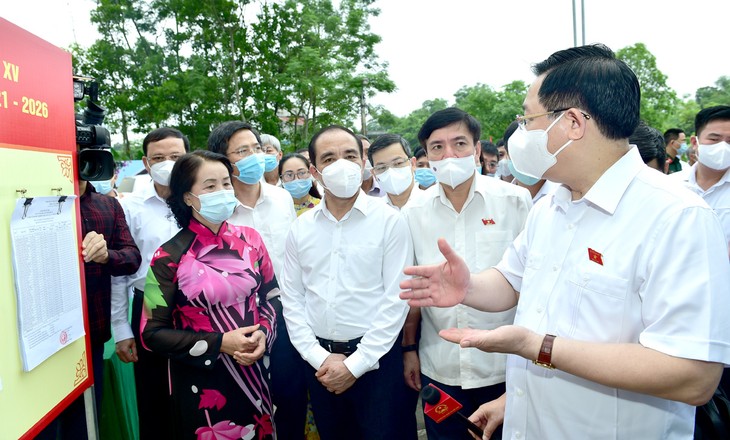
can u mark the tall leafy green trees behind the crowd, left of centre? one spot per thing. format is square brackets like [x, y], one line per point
[288, 68]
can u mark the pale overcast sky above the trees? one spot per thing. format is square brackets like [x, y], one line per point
[435, 47]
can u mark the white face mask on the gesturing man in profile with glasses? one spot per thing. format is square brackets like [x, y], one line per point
[529, 153]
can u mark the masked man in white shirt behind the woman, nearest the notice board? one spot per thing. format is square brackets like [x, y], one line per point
[151, 224]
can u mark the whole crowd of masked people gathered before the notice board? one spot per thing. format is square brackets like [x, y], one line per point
[541, 281]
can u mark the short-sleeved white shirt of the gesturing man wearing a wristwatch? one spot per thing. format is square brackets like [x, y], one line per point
[611, 268]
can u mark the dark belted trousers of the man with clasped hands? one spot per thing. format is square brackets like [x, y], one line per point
[371, 409]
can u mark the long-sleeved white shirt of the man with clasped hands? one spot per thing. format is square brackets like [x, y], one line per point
[341, 281]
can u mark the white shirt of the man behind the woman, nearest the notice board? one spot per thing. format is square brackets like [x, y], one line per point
[151, 224]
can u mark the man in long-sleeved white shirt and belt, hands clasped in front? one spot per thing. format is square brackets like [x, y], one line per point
[344, 261]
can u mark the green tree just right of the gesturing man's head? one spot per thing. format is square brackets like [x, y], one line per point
[658, 101]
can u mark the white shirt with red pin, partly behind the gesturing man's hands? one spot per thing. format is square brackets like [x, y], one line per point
[493, 215]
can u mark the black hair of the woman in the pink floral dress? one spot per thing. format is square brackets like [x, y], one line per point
[183, 178]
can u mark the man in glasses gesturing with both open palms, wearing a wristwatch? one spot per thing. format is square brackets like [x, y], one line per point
[611, 339]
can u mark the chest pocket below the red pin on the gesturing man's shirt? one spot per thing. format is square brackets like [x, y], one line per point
[597, 301]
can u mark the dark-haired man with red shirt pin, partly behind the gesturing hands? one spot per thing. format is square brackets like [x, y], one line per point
[479, 216]
